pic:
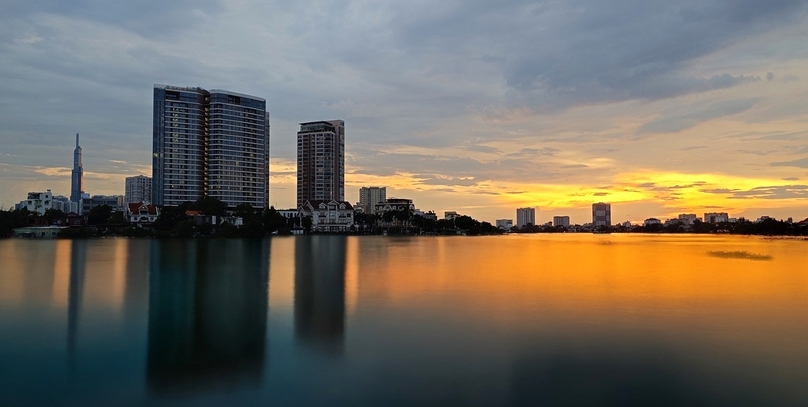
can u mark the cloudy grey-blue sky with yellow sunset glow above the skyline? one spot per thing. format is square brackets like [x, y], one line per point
[481, 107]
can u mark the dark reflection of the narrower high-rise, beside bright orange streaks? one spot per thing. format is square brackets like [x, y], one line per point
[320, 292]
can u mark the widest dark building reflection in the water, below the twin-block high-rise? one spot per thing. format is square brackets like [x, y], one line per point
[207, 314]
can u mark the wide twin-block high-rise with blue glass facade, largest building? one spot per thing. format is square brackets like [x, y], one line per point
[209, 144]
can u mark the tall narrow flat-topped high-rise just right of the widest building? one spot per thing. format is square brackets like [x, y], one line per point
[321, 161]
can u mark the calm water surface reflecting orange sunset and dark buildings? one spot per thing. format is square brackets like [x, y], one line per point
[327, 320]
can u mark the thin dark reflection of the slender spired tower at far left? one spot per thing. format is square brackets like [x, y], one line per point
[78, 264]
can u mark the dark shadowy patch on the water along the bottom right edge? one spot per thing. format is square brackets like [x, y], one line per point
[618, 377]
